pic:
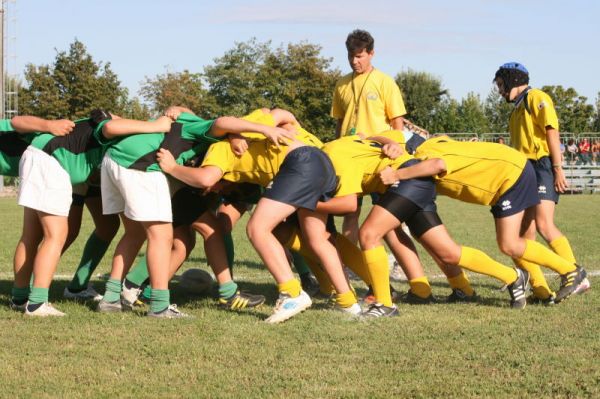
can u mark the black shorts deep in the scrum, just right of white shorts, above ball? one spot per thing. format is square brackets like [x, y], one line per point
[188, 204]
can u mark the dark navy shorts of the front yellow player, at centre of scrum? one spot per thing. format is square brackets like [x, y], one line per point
[306, 177]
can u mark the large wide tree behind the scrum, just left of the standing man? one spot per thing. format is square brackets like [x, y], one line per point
[295, 77]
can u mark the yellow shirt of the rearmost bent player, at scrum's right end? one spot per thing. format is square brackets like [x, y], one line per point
[476, 172]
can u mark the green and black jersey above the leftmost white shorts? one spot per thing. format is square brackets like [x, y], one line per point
[79, 152]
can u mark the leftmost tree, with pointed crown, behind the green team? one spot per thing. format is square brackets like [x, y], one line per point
[71, 87]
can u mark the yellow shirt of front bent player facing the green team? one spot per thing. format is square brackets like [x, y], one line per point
[261, 162]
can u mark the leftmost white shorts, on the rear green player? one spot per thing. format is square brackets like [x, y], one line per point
[45, 185]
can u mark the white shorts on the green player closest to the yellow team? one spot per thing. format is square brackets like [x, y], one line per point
[141, 196]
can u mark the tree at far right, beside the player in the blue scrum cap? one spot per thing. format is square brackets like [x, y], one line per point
[574, 114]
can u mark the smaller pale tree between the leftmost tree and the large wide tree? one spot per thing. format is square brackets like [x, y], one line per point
[175, 88]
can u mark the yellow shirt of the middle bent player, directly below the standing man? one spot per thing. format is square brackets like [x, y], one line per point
[357, 163]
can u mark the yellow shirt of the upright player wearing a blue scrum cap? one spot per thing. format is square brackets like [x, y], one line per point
[528, 131]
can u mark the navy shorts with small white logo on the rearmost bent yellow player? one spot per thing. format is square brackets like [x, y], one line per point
[522, 195]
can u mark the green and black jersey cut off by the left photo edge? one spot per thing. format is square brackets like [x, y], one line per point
[12, 146]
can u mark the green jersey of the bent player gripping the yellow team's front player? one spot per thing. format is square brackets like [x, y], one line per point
[186, 140]
